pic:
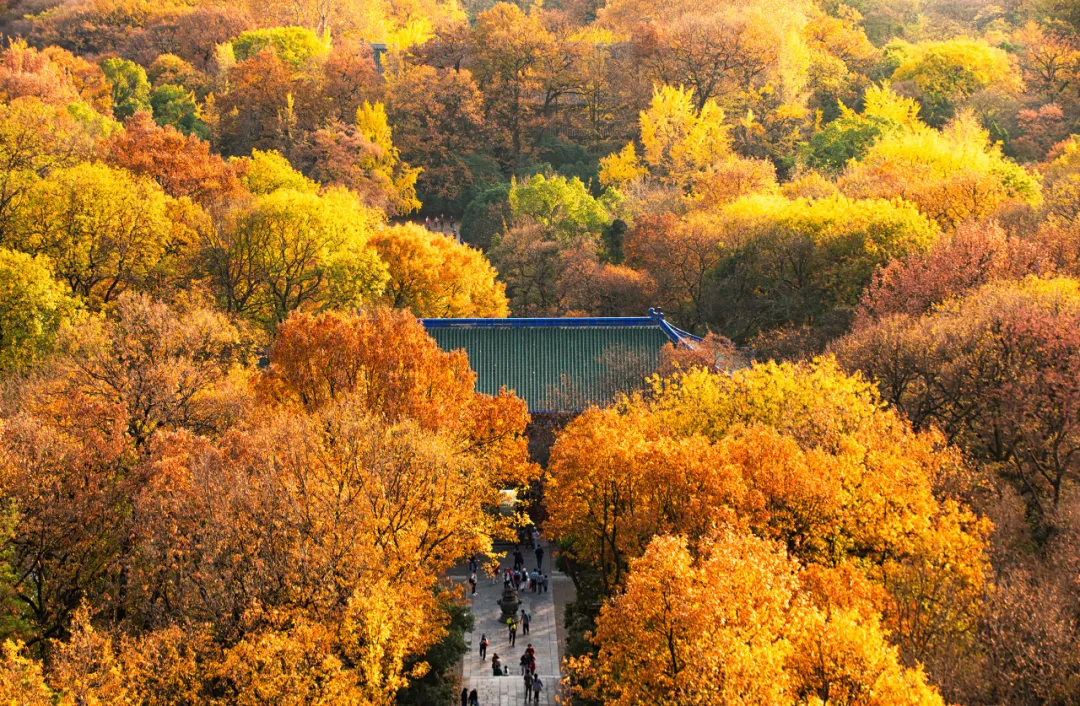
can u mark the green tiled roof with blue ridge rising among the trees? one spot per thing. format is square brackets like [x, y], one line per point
[559, 365]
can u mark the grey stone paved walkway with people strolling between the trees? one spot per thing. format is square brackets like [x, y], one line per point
[477, 674]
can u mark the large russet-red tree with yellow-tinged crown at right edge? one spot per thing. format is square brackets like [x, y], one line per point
[998, 371]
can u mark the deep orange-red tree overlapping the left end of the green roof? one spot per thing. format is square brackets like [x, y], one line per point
[385, 359]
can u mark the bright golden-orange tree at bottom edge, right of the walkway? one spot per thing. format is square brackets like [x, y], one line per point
[733, 626]
